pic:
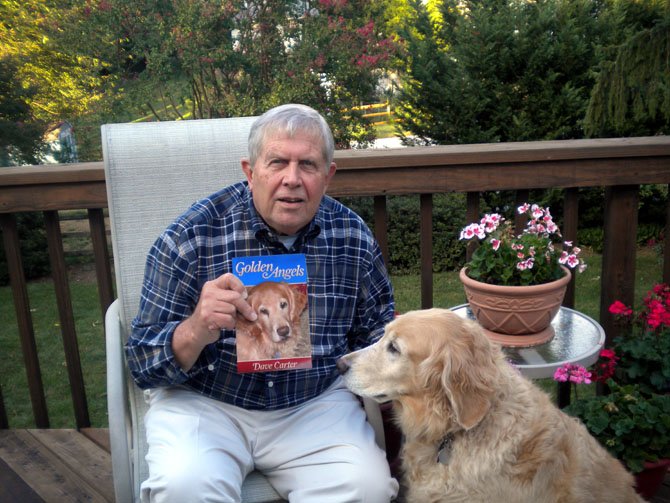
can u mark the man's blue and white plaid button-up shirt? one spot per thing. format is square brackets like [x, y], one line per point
[350, 298]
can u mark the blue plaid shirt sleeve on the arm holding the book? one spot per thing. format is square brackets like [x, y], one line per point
[167, 298]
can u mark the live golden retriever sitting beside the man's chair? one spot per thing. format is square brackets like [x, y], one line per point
[475, 429]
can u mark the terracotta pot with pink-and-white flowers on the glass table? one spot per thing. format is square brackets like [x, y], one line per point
[515, 284]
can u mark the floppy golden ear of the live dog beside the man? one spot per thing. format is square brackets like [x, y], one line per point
[469, 374]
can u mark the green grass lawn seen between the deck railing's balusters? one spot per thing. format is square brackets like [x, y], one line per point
[447, 292]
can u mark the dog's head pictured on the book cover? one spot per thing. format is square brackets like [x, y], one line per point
[278, 307]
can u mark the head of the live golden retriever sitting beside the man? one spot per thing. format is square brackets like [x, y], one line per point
[431, 358]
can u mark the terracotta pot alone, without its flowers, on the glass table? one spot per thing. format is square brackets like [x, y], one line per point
[516, 315]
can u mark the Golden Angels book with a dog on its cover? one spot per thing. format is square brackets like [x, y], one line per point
[277, 290]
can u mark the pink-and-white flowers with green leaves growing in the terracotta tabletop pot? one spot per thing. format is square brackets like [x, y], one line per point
[530, 258]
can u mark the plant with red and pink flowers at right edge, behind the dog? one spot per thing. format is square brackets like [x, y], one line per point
[632, 420]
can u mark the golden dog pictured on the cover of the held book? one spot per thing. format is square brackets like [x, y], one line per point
[277, 332]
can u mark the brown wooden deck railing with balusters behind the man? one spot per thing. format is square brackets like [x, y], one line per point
[619, 165]
